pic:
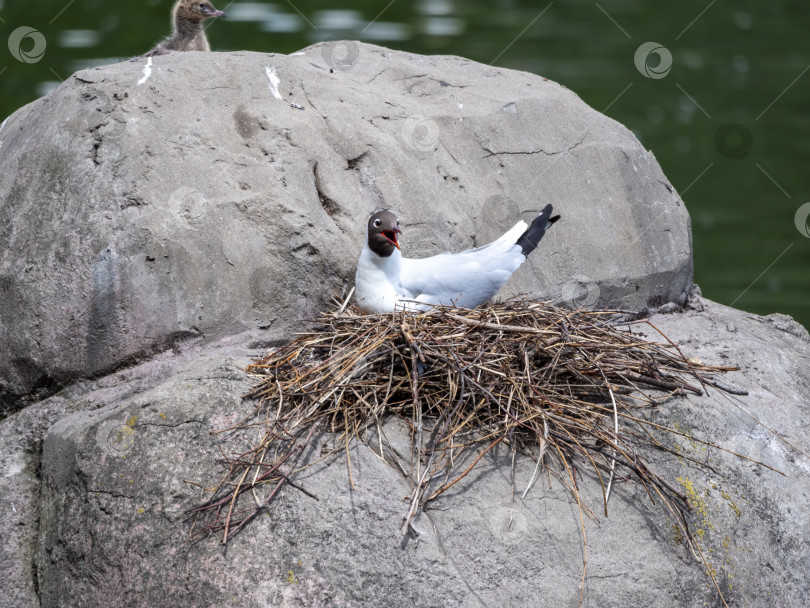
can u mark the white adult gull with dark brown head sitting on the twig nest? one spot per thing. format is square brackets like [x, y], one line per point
[386, 281]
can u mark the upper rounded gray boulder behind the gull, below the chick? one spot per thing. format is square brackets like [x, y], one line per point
[138, 212]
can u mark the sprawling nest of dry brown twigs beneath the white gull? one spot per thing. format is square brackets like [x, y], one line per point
[570, 389]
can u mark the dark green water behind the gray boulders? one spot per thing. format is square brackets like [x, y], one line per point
[729, 122]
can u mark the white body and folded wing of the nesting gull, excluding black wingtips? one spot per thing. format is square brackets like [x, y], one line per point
[467, 278]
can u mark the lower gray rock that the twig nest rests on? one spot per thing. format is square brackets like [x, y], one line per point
[112, 492]
